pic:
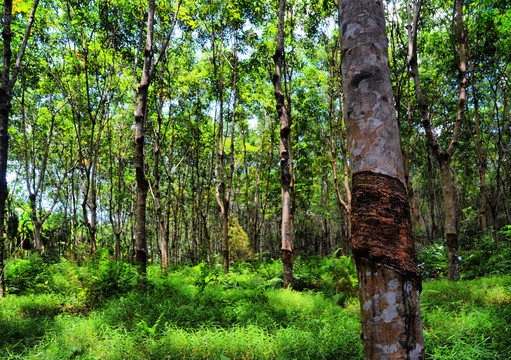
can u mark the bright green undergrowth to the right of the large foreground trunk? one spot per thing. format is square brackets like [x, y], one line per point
[468, 319]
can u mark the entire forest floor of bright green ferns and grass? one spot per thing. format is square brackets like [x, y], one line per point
[63, 311]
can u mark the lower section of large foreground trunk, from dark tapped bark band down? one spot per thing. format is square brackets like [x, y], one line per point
[389, 281]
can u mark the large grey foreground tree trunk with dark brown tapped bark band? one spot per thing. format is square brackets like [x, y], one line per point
[382, 238]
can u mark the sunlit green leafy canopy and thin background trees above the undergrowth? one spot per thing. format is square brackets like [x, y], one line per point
[210, 135]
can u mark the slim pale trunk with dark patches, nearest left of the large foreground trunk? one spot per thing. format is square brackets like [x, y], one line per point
[286, 174]
